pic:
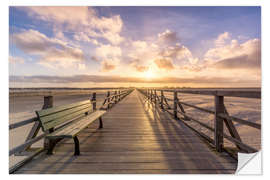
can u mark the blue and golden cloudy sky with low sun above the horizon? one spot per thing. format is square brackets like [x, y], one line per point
[134, 46]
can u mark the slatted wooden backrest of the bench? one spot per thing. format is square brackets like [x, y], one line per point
[52, 117]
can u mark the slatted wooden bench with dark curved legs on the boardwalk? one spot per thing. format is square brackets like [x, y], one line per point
[67, 121]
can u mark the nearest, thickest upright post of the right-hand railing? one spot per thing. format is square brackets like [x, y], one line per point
[219, 108]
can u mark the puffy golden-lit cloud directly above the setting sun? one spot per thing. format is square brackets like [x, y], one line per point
[144, 54]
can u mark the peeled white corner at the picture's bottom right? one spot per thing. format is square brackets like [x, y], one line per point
[249, 164]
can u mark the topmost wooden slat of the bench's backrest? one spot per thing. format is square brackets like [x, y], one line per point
[52, 110]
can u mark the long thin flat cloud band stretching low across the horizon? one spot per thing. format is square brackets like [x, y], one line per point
[121, 79]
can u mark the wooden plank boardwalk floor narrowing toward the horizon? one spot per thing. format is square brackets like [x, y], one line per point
[136, 138]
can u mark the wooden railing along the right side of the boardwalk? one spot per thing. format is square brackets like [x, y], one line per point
[221, 114]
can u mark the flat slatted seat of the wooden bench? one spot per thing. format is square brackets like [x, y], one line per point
[73, 129]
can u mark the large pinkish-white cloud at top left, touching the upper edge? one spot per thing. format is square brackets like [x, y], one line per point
[83, 22]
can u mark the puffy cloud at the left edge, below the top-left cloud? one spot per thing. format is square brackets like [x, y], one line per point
[52, 52]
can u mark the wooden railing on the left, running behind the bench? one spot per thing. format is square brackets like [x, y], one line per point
[110, 99]
